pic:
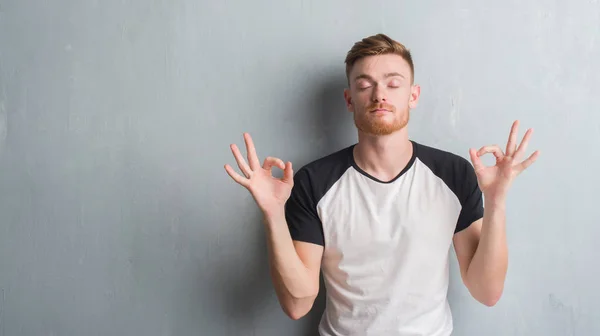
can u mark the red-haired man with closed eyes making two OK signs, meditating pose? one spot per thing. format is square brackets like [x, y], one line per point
[379, 217]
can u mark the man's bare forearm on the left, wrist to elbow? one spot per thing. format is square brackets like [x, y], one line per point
[294, 284]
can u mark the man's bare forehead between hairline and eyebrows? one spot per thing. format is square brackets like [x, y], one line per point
[380, 65]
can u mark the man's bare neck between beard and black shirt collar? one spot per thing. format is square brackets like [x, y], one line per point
[383, 157]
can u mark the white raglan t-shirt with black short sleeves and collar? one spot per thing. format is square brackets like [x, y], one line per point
[386, 244]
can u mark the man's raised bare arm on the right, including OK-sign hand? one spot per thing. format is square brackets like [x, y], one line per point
[481, 248]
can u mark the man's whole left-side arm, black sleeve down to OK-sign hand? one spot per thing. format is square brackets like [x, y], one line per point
[294, 265]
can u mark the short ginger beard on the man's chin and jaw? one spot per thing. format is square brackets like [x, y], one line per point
[372, 124]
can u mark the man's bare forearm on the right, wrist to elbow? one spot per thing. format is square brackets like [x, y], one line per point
[487, 271]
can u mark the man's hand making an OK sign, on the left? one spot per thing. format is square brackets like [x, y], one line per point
[269, 192]
